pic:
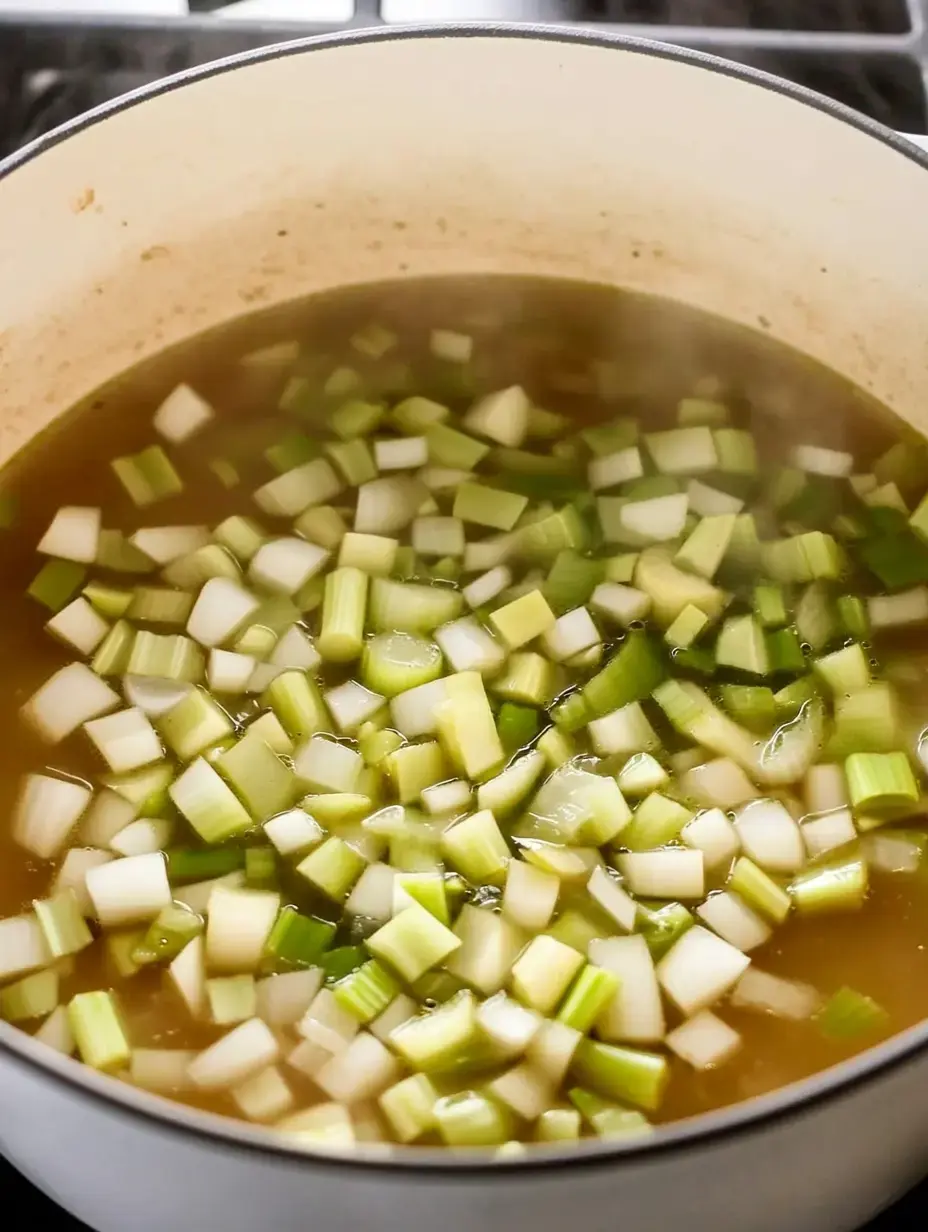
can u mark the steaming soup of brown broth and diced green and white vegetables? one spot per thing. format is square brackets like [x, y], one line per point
[713, 652]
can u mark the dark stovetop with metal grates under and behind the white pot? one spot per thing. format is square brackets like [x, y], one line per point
[61, 57]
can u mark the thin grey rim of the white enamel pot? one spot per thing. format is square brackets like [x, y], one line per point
[749, 1117]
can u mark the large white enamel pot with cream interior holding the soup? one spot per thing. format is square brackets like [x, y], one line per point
[527, 151]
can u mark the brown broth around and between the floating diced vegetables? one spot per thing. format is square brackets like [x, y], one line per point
[587, 353]
